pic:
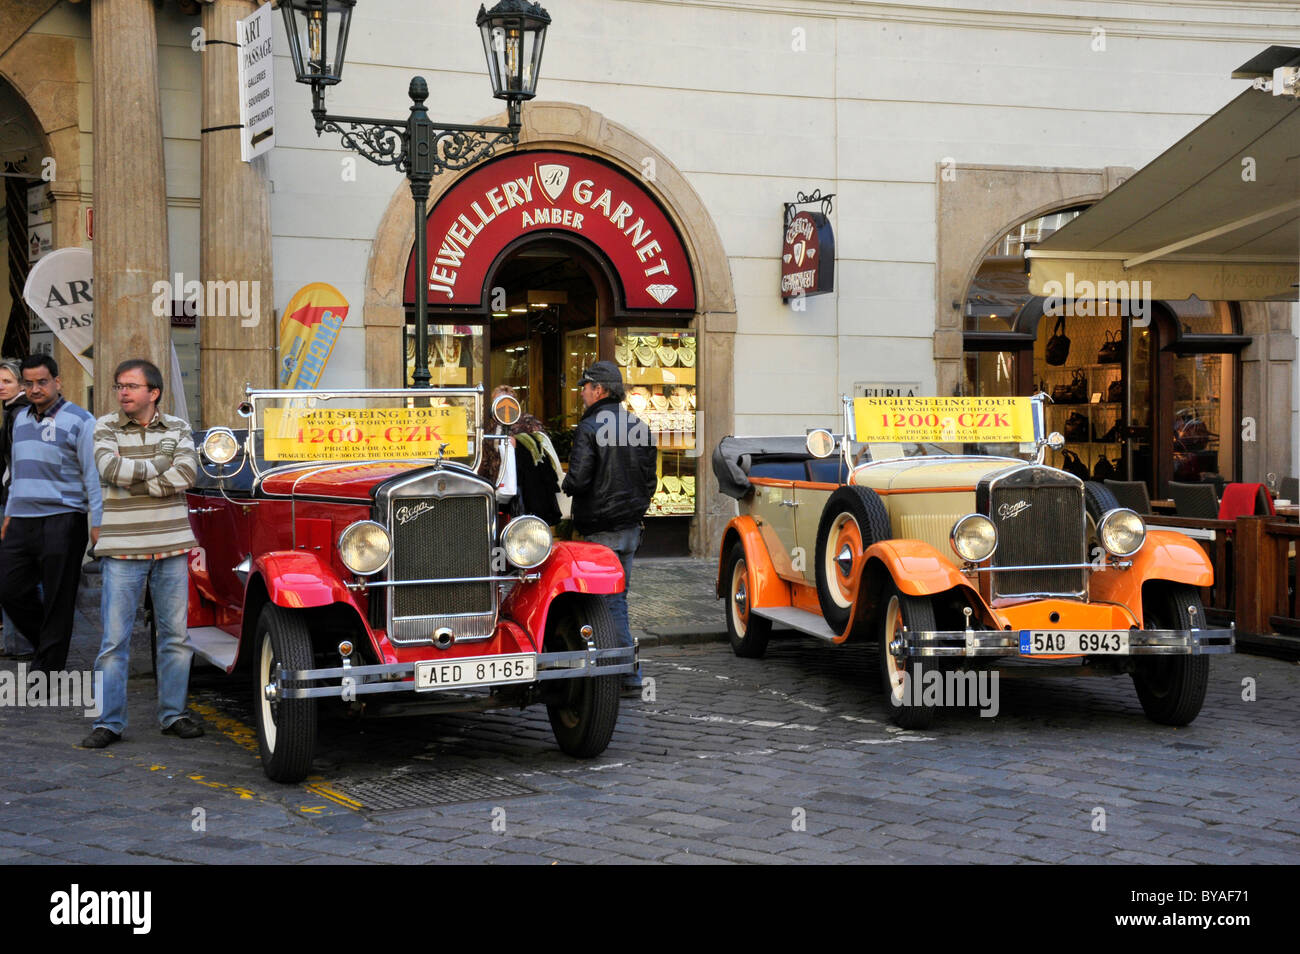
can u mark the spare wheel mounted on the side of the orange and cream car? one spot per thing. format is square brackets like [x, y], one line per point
[855, 517]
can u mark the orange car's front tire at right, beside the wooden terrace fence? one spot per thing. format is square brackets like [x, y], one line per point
[1172, 690]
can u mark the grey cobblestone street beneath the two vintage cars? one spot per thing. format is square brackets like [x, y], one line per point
[786, 760]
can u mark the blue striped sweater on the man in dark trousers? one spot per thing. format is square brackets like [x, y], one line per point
[54, 465]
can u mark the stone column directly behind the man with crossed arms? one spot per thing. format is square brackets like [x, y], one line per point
[131, 194]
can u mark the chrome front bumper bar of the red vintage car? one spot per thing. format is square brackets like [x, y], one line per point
[400, 678]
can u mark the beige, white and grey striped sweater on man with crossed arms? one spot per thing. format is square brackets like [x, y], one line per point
[146, 472]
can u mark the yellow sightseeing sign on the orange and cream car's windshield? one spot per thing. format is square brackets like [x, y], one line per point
[944, 420]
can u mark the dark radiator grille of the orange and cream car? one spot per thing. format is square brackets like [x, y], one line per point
[1050, 530]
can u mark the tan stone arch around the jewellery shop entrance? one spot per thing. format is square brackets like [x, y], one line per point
[574, 128]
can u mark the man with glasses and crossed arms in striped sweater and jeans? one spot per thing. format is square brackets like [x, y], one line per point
[146, 461]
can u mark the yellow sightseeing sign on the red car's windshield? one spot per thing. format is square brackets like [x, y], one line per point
[365, 433]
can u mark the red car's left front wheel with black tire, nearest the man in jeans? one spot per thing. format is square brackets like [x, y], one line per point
[287, 728]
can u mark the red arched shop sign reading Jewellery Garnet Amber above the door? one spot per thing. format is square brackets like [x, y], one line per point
[553, 192]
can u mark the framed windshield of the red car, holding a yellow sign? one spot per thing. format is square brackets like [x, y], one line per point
[326, 427]
